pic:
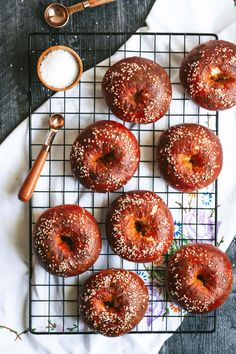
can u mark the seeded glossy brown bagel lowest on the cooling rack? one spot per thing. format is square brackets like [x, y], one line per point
[113, 301]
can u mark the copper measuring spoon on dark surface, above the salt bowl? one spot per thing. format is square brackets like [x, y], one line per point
[57, 15]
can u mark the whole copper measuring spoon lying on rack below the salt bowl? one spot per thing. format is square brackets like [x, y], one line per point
[56, 122]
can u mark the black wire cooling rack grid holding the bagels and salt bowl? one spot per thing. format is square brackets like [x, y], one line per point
[54, 301]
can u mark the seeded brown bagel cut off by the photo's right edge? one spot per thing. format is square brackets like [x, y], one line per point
[208, 74]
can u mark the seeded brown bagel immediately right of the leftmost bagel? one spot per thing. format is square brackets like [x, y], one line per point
[139, 226]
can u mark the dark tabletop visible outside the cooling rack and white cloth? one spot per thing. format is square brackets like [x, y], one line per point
[18, 19]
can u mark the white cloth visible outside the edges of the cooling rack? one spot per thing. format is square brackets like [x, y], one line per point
[166, 16]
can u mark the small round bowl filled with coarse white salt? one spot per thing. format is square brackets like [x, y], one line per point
[59, 68]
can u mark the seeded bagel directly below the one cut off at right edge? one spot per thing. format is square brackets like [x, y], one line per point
[189, 156]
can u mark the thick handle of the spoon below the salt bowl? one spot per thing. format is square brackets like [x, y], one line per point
[29, 184]
